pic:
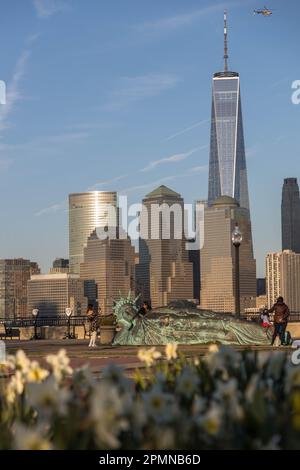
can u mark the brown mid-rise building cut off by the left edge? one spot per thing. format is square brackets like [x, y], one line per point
[14, 274]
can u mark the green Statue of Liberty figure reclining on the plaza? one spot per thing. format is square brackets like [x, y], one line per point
[182, 322]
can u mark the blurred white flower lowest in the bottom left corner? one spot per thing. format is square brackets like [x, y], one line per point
[26, 438]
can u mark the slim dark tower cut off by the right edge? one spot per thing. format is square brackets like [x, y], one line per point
[290, 215]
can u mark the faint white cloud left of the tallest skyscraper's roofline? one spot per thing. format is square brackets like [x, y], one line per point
[132, 89]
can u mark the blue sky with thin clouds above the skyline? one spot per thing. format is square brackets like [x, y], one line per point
[99, 91]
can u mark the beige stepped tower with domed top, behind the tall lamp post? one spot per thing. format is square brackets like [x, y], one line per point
[217, 257]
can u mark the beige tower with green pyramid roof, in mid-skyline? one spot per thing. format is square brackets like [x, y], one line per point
[164, 272]
